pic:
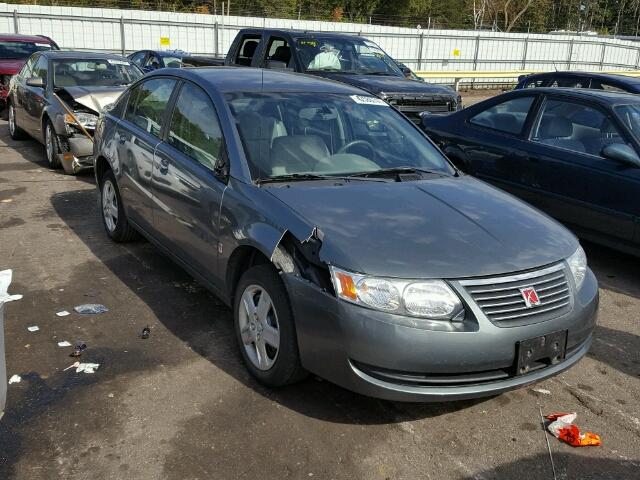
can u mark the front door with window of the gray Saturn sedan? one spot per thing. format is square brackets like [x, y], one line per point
[186, 189]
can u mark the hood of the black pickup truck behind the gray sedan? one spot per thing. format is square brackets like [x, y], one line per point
[378, 84]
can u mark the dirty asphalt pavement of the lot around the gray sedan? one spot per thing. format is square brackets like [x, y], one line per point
[180, 404]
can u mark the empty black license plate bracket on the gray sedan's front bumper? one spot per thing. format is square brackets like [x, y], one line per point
[540, 352]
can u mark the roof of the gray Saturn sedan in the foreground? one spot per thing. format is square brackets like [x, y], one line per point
[244, 79]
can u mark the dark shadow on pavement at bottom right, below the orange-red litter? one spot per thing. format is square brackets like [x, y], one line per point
[587, 466]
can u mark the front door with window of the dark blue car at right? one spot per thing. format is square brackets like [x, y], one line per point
[576, 184]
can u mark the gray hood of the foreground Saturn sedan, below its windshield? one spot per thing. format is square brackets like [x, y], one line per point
[453, 227]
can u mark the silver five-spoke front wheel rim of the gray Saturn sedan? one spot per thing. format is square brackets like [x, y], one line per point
[259, 328]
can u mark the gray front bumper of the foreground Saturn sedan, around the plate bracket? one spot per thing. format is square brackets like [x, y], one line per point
[367, 352]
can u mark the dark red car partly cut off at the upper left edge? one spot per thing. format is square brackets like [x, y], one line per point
[14, 52]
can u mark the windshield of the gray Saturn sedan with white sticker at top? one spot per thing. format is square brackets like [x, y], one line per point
[328, 134]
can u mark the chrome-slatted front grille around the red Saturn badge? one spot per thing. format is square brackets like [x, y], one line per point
[502, 301]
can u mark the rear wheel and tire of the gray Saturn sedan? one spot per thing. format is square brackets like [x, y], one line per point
[112, 211]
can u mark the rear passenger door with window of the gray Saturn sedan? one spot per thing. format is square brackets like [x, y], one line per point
[138, 134]
